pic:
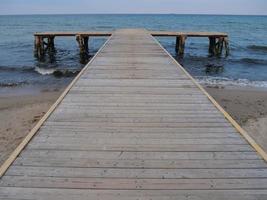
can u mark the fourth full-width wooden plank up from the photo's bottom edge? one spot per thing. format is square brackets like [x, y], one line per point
[141, 163]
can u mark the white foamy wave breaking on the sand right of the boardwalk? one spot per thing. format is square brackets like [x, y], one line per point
[222, 81]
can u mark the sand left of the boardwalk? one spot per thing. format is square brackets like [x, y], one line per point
[18, 115]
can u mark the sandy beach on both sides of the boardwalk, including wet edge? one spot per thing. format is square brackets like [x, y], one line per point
[22, 108]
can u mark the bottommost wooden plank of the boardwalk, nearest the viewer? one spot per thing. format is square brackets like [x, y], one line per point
[63, 194]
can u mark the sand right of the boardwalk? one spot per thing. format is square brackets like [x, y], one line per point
[248, 106]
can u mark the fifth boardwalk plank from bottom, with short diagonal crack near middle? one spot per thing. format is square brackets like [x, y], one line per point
[53, 154]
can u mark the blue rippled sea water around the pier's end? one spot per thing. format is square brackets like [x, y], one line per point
[246, 64]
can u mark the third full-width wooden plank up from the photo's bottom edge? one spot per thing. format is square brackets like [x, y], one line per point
[136, 173]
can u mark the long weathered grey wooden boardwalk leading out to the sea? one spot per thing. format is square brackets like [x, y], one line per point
[136, 126]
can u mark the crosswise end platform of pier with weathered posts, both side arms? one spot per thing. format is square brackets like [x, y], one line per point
[217, 41]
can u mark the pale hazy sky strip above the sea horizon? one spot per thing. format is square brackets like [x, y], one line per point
[244, 7]
